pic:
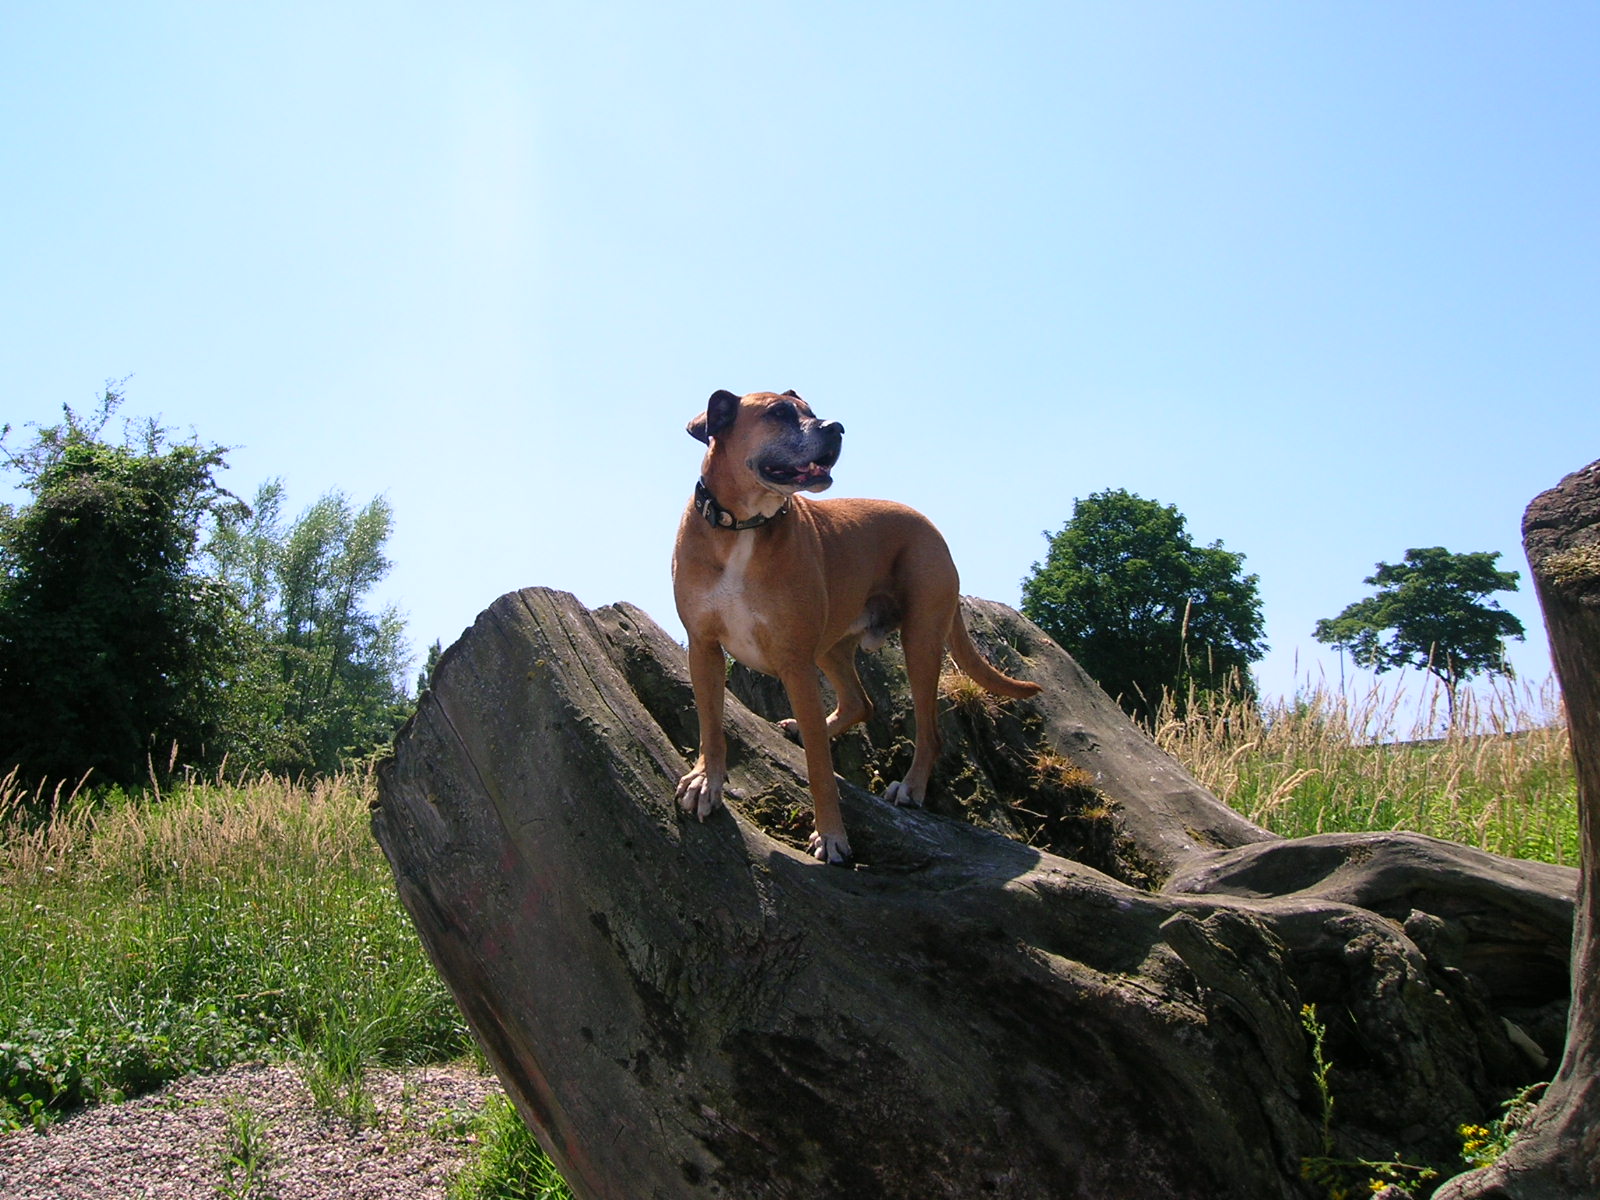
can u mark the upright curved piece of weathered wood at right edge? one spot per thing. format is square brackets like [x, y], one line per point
[1559, 1154]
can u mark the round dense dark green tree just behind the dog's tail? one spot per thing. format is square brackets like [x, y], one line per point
[1145, 610]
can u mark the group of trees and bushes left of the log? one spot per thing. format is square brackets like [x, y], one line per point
[151, 620]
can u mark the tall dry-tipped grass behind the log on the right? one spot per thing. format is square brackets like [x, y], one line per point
[1500, 780]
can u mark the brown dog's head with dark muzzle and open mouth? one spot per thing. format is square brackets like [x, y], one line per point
[777, 438]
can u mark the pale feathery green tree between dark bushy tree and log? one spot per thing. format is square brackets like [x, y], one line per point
[327, 674]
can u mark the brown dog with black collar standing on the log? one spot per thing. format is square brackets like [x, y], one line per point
[788, 585]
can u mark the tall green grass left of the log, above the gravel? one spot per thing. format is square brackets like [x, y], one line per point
[158, 935]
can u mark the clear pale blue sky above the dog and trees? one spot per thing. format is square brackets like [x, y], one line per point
[1324, 276]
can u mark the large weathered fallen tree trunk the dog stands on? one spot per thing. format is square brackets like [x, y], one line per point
[702, 1010]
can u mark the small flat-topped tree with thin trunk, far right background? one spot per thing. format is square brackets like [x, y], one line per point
[1438, 614]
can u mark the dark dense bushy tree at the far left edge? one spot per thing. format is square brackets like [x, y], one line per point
[114, 644]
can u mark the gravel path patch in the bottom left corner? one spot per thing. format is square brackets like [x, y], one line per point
[170, 1145]
